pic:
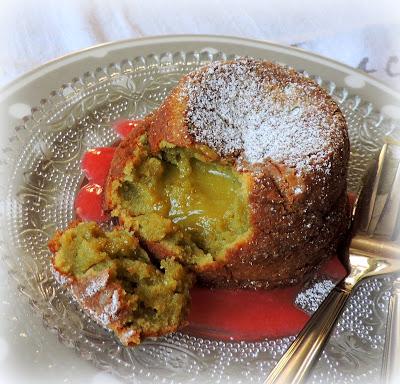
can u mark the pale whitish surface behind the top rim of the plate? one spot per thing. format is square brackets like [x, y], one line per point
[359, 33]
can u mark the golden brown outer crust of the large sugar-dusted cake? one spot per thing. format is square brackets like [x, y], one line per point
[298, 204]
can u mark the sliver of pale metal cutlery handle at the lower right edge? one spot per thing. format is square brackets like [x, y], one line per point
[391, 353]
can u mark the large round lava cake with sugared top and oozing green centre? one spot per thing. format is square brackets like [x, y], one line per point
[240, 176]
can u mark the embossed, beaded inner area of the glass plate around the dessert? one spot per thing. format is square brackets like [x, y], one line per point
[45, 154]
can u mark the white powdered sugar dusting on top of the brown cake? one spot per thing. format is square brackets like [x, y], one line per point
[259, 112]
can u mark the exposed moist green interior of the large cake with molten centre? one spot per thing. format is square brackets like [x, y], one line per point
[179, 198]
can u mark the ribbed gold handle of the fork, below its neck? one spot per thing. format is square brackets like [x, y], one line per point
[295, 365]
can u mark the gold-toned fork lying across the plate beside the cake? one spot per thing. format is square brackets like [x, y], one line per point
[367, 257]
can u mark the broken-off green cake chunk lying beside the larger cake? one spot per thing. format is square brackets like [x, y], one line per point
[113, 279]
